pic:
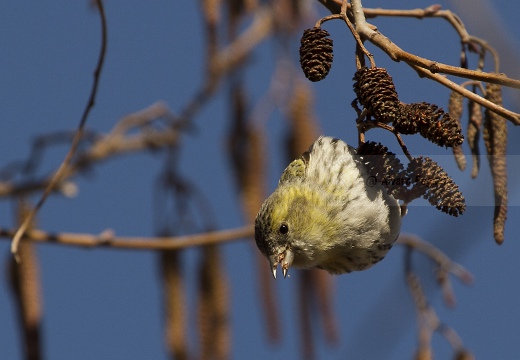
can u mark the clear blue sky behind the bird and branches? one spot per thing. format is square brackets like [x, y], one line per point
[103, 303]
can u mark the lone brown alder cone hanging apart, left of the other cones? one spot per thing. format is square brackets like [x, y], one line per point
[316, 53]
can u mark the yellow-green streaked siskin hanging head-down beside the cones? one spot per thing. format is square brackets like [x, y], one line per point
[327, 212]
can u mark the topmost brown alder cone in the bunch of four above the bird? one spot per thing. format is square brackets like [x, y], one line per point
[375, 90]
